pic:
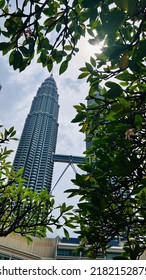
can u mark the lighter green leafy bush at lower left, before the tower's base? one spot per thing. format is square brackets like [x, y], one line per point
[21, 209]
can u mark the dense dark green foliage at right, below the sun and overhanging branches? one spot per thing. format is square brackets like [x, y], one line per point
[113, 190]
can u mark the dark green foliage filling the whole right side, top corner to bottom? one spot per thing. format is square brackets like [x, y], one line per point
[113, 192]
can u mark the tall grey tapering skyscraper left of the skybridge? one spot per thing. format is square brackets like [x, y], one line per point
[39, 136]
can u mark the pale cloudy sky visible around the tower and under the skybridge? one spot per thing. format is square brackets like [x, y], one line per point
[18, 91]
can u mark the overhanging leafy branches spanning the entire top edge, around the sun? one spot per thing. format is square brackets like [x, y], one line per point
[53, 29]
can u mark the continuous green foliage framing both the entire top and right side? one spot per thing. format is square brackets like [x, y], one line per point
[113, 192]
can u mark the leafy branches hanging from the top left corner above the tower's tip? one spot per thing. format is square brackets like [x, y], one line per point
[49, 29]
